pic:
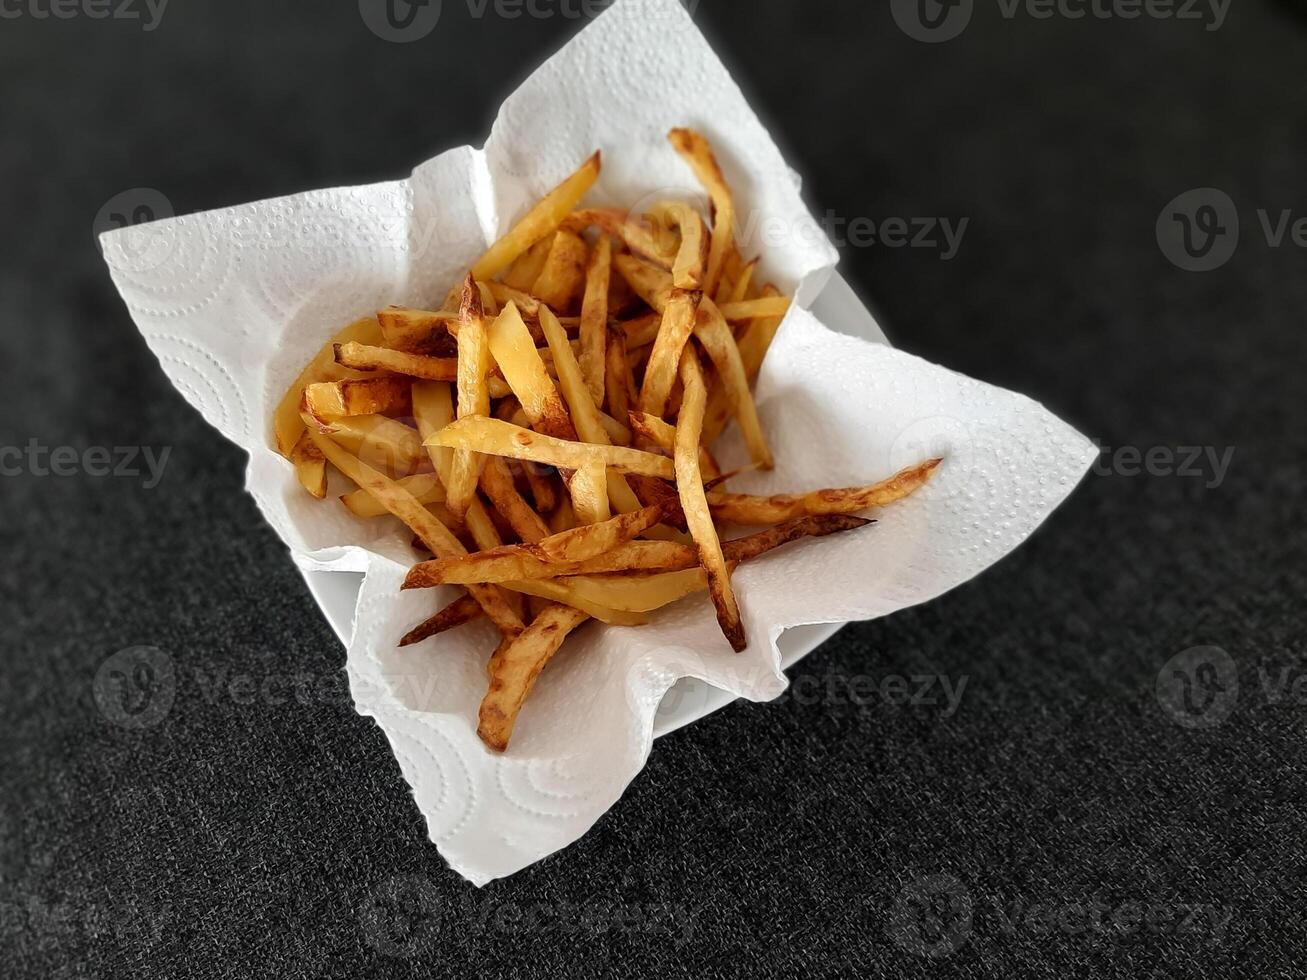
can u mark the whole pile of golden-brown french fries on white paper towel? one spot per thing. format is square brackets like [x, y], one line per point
[548, 433]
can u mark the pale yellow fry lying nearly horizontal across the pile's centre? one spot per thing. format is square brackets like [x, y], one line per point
[493, 437]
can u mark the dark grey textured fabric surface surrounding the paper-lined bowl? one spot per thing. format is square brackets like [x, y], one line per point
[242, 838]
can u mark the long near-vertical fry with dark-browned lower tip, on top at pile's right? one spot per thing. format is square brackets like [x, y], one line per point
[689, 484]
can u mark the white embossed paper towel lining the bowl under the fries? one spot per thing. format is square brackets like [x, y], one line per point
[235, 302]
